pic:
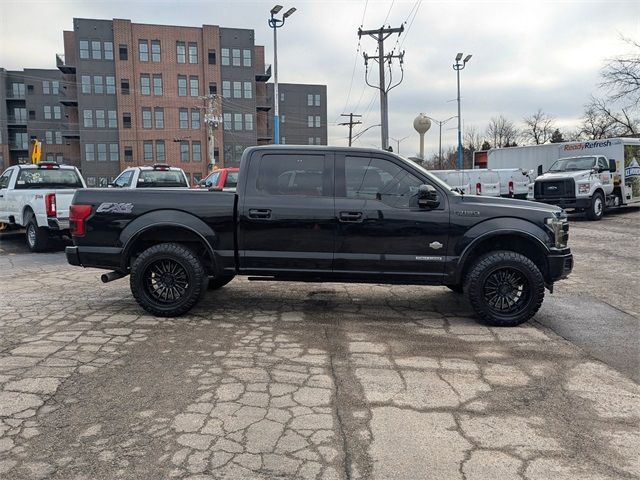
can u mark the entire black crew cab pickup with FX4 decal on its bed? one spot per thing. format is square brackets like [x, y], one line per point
[324, 214]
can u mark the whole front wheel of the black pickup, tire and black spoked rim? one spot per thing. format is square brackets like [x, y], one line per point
[504, 288]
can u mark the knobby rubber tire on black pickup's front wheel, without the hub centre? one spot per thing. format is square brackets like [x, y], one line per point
[504, 261]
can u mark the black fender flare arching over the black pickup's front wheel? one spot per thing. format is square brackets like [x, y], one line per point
[492, 229]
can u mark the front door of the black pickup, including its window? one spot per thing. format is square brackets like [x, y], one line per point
[381, 229]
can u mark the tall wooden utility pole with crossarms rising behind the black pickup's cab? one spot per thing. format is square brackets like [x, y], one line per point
[380, 36]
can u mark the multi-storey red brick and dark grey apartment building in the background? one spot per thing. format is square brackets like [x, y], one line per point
[133, 94]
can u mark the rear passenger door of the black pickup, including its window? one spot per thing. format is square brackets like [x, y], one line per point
[286, 215]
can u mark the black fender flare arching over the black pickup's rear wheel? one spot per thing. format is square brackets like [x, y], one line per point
[167, 218]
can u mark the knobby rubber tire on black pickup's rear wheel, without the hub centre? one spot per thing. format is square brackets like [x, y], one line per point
[142, 287]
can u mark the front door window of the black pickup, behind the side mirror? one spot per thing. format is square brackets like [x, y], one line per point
[382, 180]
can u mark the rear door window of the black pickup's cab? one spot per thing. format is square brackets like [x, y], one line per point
[291, 175]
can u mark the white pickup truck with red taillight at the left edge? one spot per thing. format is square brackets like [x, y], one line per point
[37, 197]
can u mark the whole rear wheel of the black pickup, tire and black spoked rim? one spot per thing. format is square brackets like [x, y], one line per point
[167, 280]
